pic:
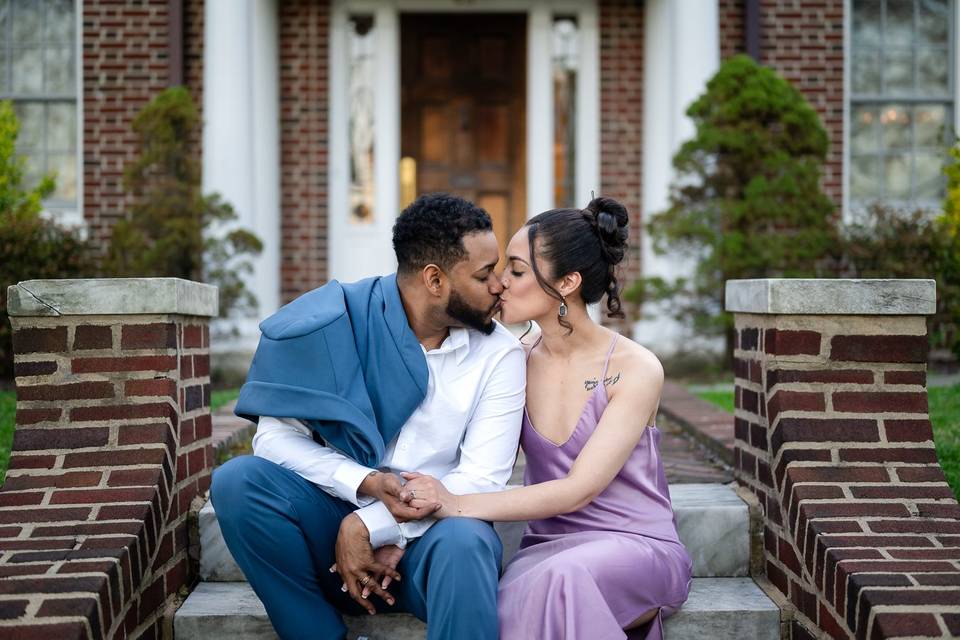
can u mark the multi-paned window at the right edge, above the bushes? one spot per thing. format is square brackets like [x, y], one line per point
[901, 100]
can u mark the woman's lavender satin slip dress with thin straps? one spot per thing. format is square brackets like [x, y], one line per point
[588, 574]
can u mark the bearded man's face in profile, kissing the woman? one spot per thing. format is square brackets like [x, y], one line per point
[474, 287]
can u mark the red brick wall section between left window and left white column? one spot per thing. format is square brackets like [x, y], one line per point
[125, 64]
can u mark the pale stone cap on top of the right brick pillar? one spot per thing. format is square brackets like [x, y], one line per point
[813, 296]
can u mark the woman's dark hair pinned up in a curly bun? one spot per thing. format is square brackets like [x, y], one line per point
[592, 241]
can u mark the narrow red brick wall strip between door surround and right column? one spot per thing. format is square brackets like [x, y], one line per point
[621, 116]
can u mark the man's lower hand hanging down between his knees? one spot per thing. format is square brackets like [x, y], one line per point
[358, 567]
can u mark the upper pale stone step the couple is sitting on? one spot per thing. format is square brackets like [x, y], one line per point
[712, 520]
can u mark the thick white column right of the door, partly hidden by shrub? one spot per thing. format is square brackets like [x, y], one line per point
[681, 53]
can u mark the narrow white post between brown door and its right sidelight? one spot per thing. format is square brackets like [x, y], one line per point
[539, 110]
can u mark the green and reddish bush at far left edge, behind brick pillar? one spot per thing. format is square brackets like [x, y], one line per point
[31, 246]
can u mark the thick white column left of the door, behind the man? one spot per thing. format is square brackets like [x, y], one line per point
[241, 141]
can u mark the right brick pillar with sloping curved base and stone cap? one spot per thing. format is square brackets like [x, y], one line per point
[862, 533]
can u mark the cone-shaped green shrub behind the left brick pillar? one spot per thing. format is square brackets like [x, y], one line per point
[172, 226]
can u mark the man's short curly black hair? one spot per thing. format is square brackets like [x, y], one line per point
[431, 231]
